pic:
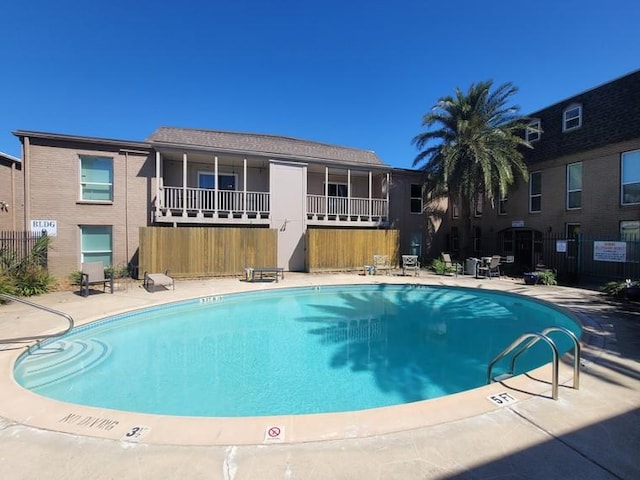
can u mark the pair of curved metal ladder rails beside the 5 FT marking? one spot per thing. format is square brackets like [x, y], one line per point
[528, 340]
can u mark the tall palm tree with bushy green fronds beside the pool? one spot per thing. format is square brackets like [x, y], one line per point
[471, 149]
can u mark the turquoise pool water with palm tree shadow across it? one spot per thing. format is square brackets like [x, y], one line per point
[291, 351]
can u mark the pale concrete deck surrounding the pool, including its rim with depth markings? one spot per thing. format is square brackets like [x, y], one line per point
[590, 433]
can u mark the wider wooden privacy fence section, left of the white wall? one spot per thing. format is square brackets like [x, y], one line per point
[202, 251]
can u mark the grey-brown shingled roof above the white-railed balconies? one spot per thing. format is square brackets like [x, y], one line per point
[261, 144]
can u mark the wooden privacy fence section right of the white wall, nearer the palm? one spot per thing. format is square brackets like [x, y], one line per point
[349, 249]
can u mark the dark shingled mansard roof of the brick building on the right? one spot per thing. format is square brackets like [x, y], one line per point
[610, 114]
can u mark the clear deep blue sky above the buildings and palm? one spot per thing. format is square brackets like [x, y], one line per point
[353, 73]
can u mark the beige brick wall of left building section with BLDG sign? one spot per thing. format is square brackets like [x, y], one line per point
[55, 192]
